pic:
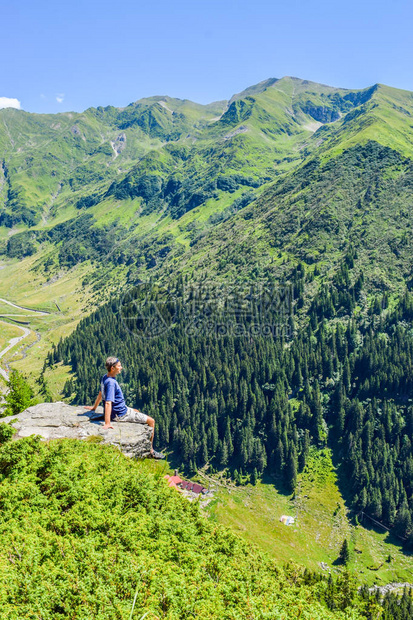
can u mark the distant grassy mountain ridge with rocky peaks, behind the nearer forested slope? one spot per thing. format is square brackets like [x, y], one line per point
[169, 169]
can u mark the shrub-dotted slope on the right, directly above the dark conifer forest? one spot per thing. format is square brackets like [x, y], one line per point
[361, 198]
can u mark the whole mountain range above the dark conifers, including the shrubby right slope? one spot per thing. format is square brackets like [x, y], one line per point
[286, 171]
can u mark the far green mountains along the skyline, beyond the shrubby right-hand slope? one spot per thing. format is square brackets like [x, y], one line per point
[171, 156]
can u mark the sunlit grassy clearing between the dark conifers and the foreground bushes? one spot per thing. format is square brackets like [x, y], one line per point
[322, 522]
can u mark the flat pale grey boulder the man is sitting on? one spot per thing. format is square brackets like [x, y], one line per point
[59, 420]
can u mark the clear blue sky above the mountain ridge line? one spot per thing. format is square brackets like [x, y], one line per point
[59, 56]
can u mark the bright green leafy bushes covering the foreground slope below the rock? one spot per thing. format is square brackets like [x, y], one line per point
[84, 529]
